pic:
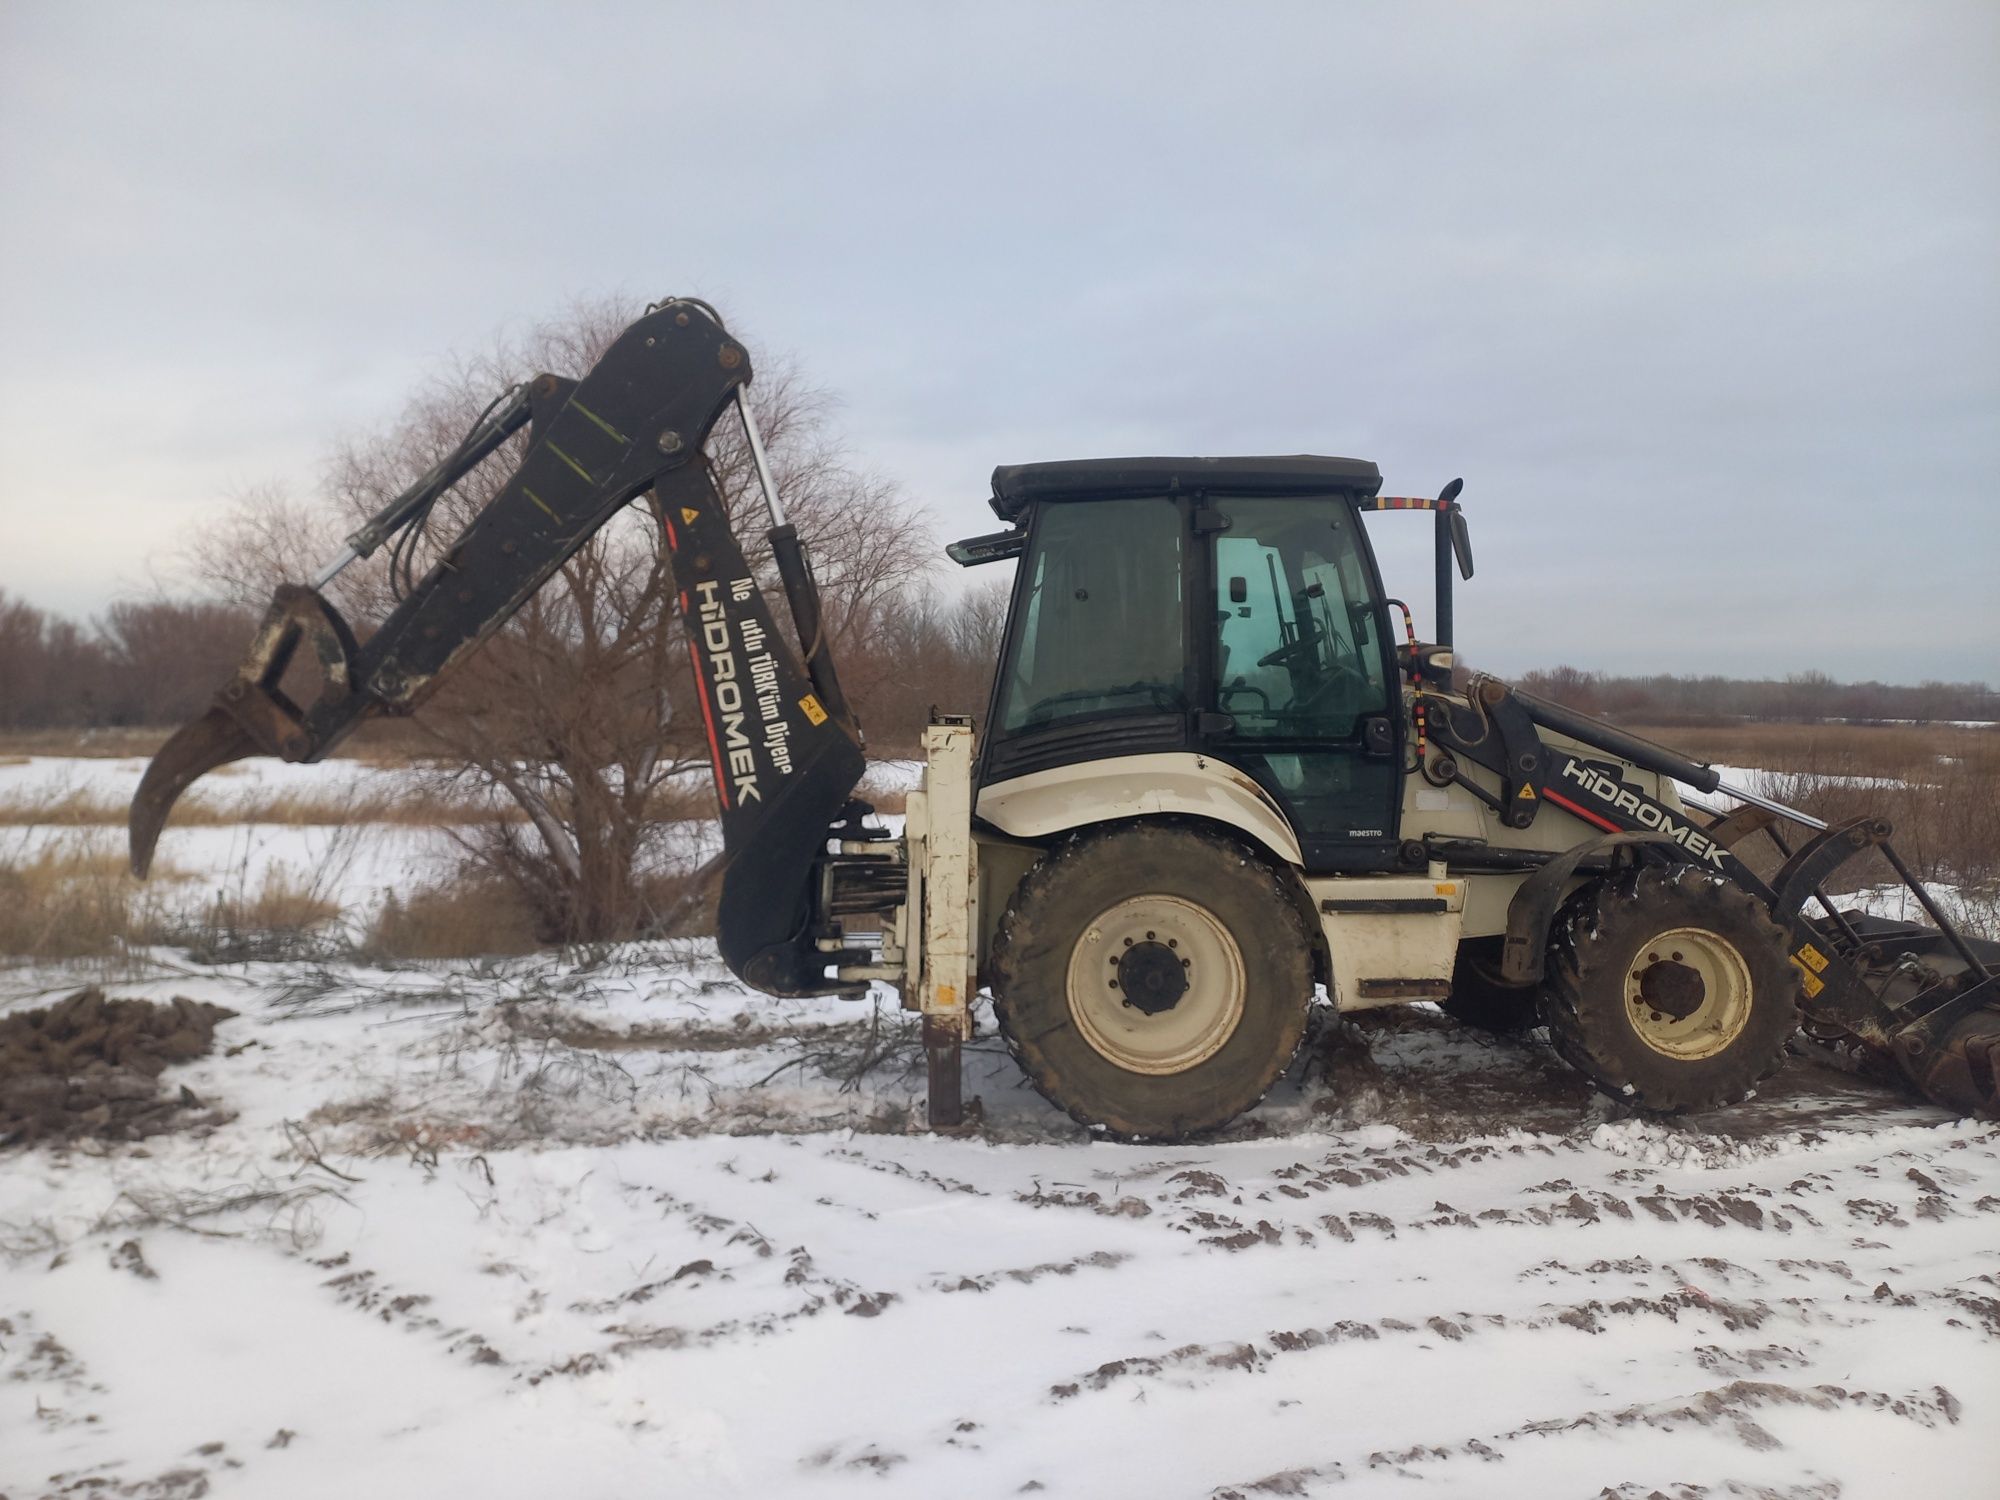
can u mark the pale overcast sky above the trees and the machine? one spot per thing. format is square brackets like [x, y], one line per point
[1703, 301]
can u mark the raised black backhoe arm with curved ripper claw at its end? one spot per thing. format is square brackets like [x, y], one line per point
[785, 749]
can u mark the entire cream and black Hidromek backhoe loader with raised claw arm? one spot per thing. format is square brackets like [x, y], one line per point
[1213, 781]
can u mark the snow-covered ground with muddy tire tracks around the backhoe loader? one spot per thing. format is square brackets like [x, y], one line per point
[617, 1229]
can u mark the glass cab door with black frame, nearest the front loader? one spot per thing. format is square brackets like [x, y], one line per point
[1301, 681]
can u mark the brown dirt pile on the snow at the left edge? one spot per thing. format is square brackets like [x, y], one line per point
[91, 1067]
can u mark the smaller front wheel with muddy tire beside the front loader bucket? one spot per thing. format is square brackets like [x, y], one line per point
[1671, 991]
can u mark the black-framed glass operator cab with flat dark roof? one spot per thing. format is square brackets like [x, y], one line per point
[1225, 607]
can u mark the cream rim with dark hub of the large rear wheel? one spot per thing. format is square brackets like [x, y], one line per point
[1123, 993]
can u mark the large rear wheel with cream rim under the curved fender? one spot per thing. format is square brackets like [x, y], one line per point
[1153, 979]
